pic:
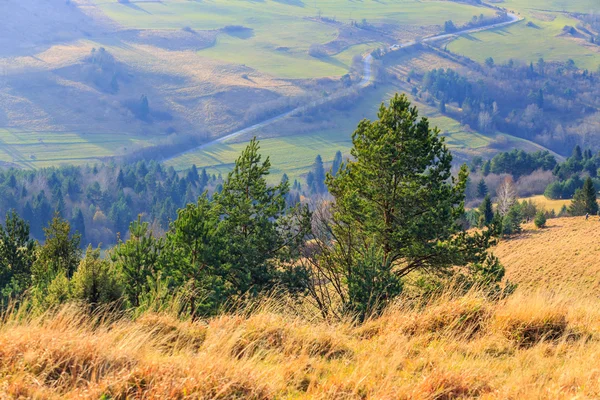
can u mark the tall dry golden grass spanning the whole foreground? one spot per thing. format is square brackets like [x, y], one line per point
[529, 346]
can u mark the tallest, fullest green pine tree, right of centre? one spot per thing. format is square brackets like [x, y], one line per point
[396, 209]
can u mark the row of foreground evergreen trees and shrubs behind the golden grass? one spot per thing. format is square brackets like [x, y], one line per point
[396, 212]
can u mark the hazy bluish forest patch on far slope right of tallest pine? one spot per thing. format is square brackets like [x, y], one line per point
[551, 103]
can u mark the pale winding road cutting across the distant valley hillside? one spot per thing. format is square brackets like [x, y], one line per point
[366, 79]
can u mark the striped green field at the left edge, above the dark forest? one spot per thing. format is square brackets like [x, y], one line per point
[44, 149]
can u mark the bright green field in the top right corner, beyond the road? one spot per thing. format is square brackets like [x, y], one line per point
[529, 43]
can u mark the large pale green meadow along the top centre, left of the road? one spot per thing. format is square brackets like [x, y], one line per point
[281, 30]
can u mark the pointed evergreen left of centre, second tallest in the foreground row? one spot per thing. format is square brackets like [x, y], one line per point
[251, 220]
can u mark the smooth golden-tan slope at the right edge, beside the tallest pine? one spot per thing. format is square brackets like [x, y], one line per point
[566, 254]
